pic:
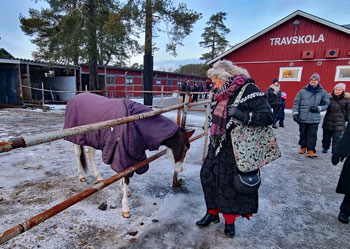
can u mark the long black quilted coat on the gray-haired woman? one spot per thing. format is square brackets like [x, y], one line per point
[217, 172]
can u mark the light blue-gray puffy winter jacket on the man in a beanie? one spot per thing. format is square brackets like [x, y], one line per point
[305, 99]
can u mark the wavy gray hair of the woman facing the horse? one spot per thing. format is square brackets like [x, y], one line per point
[224, 69]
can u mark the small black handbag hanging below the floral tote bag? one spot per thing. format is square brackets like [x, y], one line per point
[247, 183]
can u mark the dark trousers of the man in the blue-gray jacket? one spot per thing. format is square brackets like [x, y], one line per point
[308, 135]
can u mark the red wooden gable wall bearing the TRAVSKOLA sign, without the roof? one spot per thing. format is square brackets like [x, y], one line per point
[263, 56]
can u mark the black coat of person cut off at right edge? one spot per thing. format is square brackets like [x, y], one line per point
[343, 149]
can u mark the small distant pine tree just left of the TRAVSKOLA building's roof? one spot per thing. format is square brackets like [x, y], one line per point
[214, 36]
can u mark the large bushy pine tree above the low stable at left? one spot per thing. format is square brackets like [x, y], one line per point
[79, 31]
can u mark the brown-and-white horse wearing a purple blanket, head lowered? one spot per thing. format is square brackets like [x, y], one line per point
[124, 145]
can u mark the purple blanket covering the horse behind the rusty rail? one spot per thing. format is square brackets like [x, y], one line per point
[123, 145]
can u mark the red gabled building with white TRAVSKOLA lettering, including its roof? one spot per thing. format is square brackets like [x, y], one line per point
[292, 50]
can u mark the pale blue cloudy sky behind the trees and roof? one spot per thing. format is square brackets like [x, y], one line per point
[244, 19]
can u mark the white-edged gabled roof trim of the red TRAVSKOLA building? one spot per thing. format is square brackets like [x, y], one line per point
[344, 28]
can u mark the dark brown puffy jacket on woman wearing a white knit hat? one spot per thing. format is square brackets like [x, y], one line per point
[338, 112]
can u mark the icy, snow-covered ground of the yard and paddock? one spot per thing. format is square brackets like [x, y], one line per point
[298, 204]
